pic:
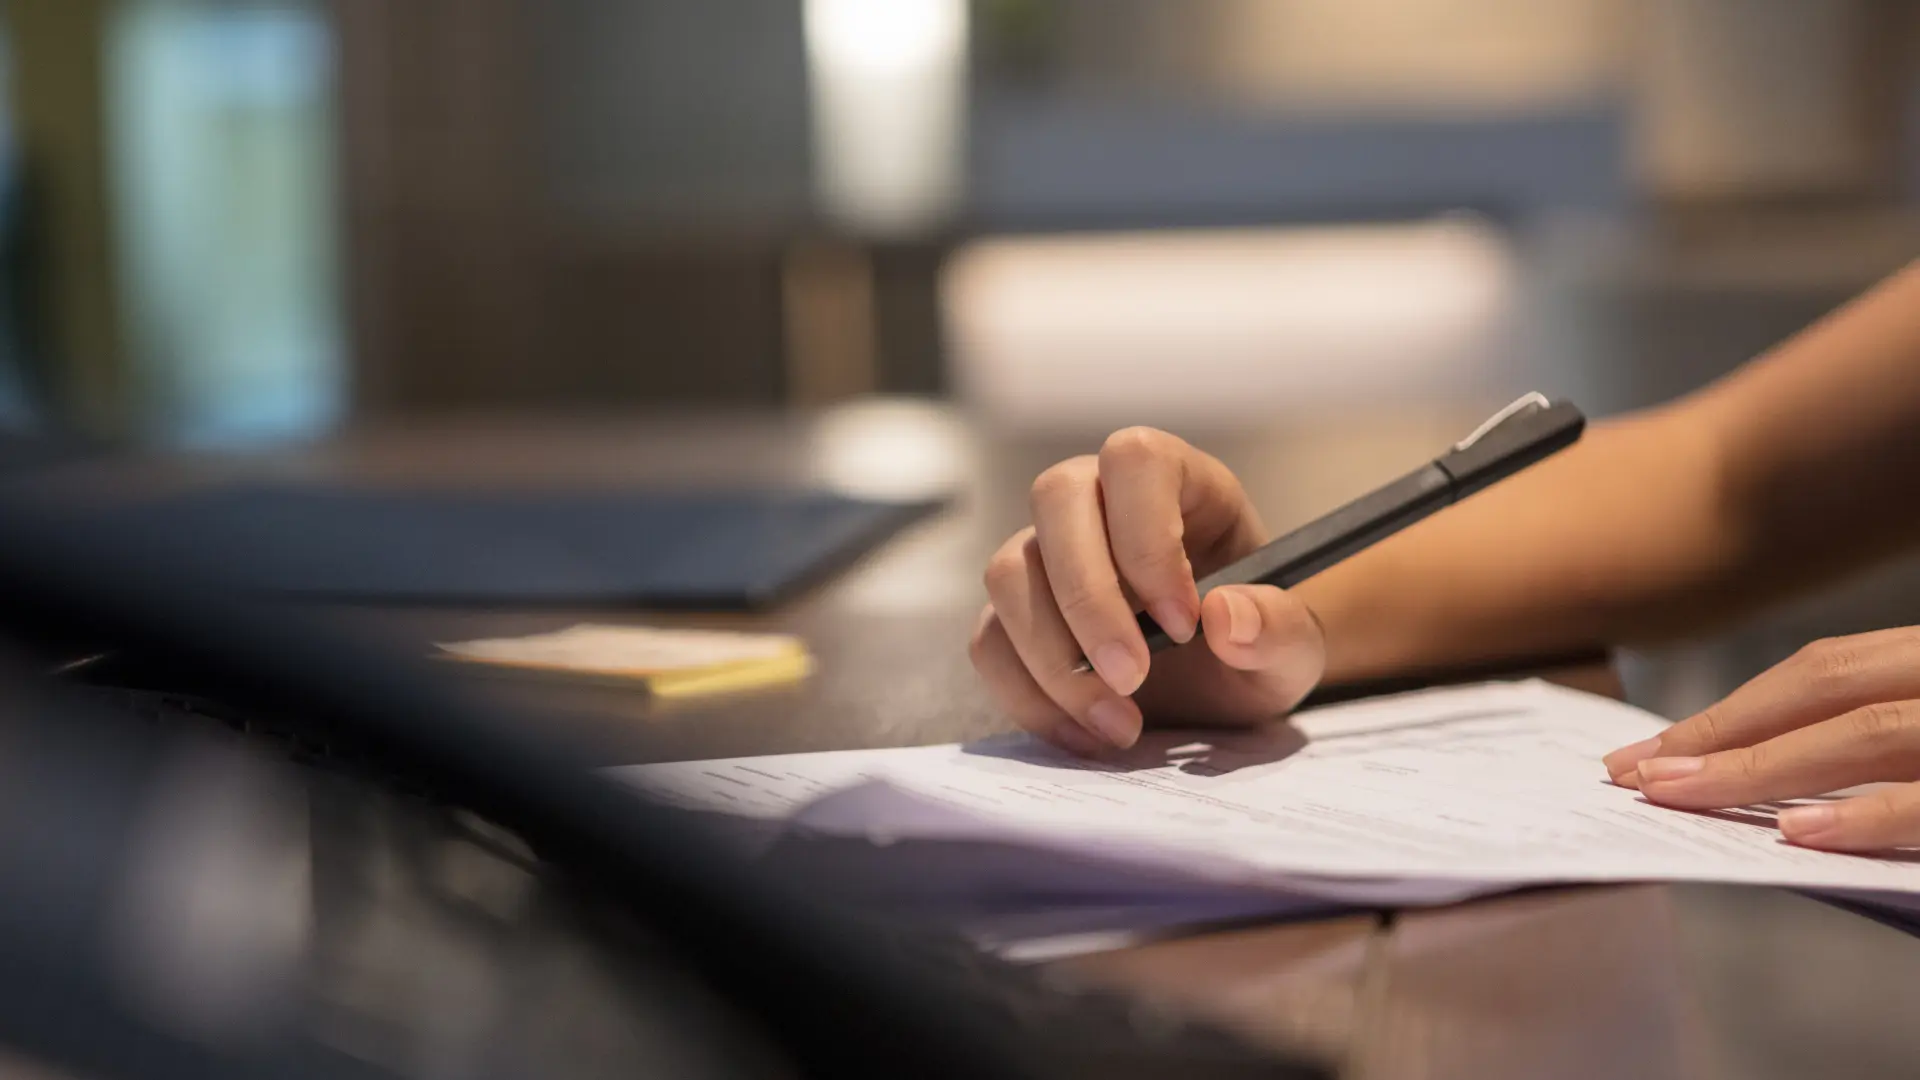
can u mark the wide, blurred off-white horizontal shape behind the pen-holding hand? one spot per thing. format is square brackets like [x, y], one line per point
[1228, 328]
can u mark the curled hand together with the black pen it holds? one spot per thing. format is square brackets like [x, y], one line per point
[1136, 528]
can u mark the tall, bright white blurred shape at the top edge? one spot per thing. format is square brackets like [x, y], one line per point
[890, 93]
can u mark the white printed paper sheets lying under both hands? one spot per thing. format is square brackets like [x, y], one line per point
[1418, 798]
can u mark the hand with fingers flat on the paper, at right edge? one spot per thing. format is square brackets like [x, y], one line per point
[1836, 714]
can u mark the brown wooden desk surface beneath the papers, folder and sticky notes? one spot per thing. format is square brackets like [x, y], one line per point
[1623, 981]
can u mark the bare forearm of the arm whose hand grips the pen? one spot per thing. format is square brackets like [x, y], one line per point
[1666, 524]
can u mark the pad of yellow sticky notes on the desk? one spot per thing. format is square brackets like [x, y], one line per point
[669, 662]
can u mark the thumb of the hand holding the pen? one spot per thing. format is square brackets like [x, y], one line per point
[1270, 635]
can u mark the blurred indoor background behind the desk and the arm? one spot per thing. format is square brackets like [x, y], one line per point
[258, 224]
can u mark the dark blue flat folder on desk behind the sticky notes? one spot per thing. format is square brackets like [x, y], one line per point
[713, 551]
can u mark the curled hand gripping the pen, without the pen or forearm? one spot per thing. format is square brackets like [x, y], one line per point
[1118, 533]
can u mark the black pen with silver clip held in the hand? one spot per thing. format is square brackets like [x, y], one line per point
[1510, 441]
